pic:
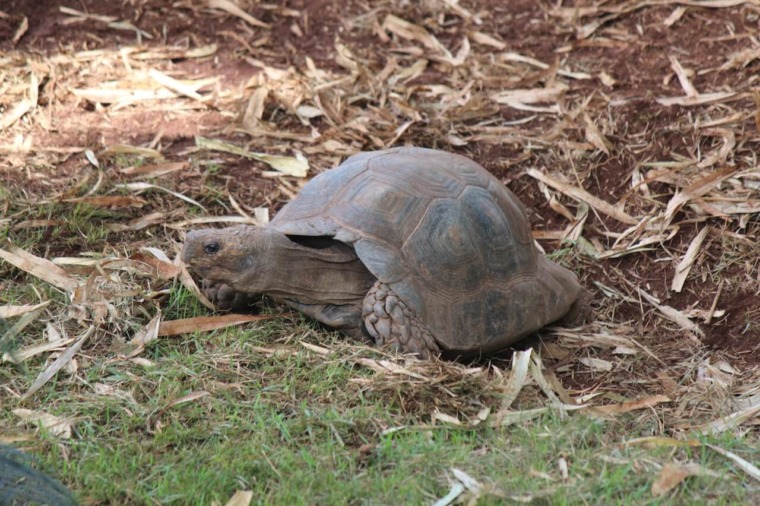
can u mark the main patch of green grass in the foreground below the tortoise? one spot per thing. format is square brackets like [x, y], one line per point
[306, 429]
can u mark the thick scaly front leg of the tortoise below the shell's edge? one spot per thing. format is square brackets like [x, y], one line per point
[390, 322]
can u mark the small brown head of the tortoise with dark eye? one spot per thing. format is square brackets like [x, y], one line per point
[228, 255]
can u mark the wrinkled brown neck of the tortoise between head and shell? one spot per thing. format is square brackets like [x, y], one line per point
[288, 271]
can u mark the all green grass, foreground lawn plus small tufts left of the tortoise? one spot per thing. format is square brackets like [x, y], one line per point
[297, 427]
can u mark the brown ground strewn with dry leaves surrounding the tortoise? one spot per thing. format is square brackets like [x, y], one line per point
[628, 128]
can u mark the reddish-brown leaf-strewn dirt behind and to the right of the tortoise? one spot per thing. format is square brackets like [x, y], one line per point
[626, 127]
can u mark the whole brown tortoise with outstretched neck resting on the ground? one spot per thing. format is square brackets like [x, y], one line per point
[416, 249]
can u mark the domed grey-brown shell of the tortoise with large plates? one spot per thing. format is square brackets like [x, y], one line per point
[451, 240]
